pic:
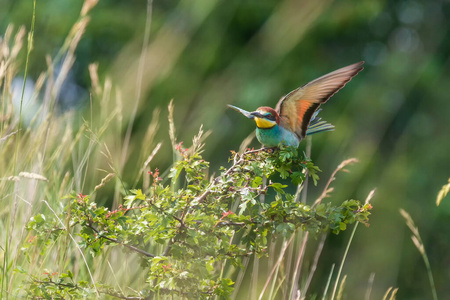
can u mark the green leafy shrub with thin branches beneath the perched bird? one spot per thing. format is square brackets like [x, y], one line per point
[201, 224]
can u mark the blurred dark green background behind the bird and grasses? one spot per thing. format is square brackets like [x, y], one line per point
[204, 54]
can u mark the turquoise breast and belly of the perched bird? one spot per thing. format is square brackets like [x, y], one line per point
[272, 137]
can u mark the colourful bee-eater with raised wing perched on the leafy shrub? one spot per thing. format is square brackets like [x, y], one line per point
[296, 114]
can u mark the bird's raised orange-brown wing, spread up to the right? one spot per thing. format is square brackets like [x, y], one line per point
[296, 108]
